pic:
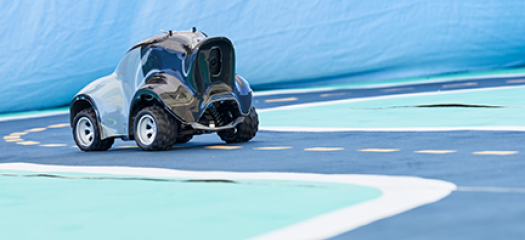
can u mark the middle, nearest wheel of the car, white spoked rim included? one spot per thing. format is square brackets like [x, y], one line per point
[155, 129]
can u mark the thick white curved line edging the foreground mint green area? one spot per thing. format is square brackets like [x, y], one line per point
[399, 194]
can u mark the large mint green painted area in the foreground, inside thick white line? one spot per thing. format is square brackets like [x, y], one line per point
[51, 208]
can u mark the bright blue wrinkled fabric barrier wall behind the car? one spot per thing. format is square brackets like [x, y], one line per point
[51, 49]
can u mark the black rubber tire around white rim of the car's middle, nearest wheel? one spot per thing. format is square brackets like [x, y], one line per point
[167, 128]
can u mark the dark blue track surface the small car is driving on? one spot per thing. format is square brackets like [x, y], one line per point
[487, 205]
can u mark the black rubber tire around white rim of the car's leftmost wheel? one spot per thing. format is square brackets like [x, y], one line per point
[97, 144]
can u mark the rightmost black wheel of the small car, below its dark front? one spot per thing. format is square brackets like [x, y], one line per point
[243, 132]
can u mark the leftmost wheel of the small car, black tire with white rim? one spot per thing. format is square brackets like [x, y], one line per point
[87, 133]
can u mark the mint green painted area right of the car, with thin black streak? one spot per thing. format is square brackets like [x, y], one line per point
[370, 114]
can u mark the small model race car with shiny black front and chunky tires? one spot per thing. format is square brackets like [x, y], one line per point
[165, 90]
